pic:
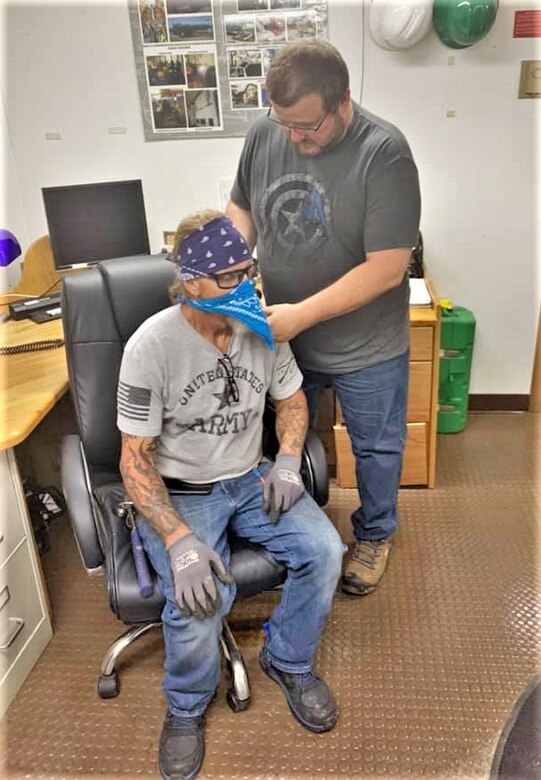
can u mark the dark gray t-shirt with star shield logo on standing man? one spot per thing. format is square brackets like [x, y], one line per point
[316, 217]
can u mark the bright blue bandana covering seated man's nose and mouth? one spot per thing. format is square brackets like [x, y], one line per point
[243, 304]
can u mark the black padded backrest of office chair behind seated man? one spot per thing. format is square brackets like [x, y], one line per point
[101, 308]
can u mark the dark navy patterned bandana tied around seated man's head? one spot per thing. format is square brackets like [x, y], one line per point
[214, 247]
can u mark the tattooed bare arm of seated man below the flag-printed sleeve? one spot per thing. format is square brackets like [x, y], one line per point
[144, 486]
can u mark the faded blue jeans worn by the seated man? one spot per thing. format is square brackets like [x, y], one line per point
[303, 539]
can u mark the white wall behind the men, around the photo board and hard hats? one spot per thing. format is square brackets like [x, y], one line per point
[70, 69]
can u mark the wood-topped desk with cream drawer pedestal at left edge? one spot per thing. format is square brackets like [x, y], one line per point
[30, 385]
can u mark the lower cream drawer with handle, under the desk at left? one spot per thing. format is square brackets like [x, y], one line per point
[20, 606]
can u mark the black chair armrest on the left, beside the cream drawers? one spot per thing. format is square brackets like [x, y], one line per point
[77, 492]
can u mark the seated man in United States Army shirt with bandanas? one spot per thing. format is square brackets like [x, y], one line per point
[190, 403]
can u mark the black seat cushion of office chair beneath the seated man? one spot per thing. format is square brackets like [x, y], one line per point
[253, 568]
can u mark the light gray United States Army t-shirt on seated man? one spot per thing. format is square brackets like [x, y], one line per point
[172, 387]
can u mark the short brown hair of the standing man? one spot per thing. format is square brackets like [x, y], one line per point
[306, 66]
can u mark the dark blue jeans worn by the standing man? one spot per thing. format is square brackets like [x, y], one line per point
[374, 405]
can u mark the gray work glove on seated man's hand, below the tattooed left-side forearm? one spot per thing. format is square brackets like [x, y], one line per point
[192, 564]
